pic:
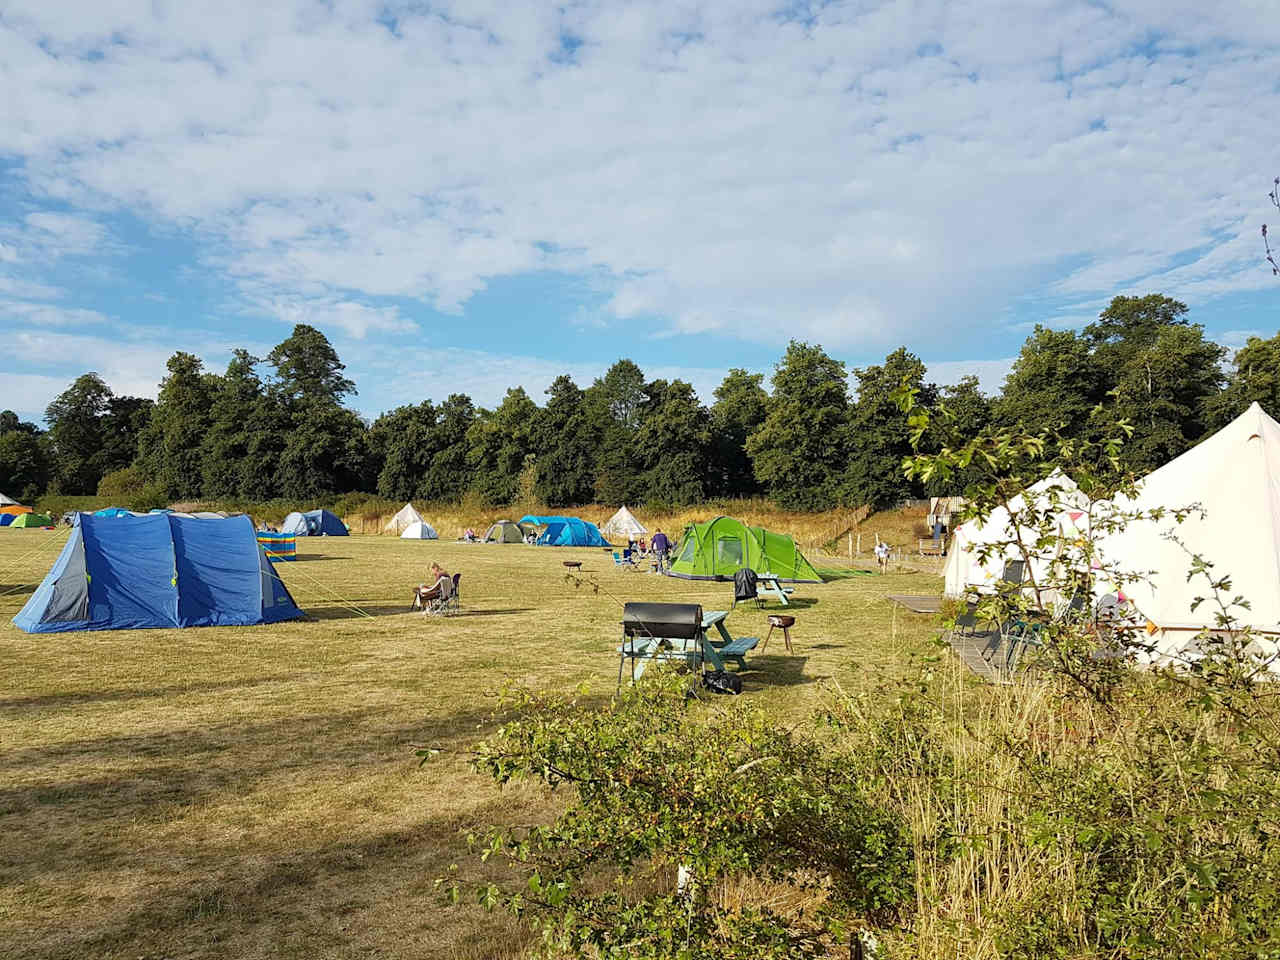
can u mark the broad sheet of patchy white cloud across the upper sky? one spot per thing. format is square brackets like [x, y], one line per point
[874, 175]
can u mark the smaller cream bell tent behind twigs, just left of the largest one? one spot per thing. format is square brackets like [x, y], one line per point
[966, 570]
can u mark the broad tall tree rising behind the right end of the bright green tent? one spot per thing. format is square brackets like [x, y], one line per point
[799, 452]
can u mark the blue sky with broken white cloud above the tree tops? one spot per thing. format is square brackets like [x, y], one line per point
[469, 196]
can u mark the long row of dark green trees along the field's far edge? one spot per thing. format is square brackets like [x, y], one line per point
[278, 427]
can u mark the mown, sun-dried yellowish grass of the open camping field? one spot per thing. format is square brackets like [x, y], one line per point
[252, 793]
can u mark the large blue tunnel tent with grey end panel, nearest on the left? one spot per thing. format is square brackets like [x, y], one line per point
[158, 572]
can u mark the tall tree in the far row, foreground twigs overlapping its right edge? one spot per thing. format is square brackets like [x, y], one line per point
[879, 437]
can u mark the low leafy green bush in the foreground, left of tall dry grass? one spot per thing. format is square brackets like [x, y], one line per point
[656, 784]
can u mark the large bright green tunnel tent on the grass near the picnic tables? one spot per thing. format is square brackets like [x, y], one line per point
[720, 548]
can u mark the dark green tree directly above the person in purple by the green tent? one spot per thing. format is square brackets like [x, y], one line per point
[674, 445]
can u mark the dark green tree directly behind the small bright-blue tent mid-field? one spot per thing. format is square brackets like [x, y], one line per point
[566, 441]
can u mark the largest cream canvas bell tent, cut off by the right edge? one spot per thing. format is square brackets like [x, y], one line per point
[1235, 477]
